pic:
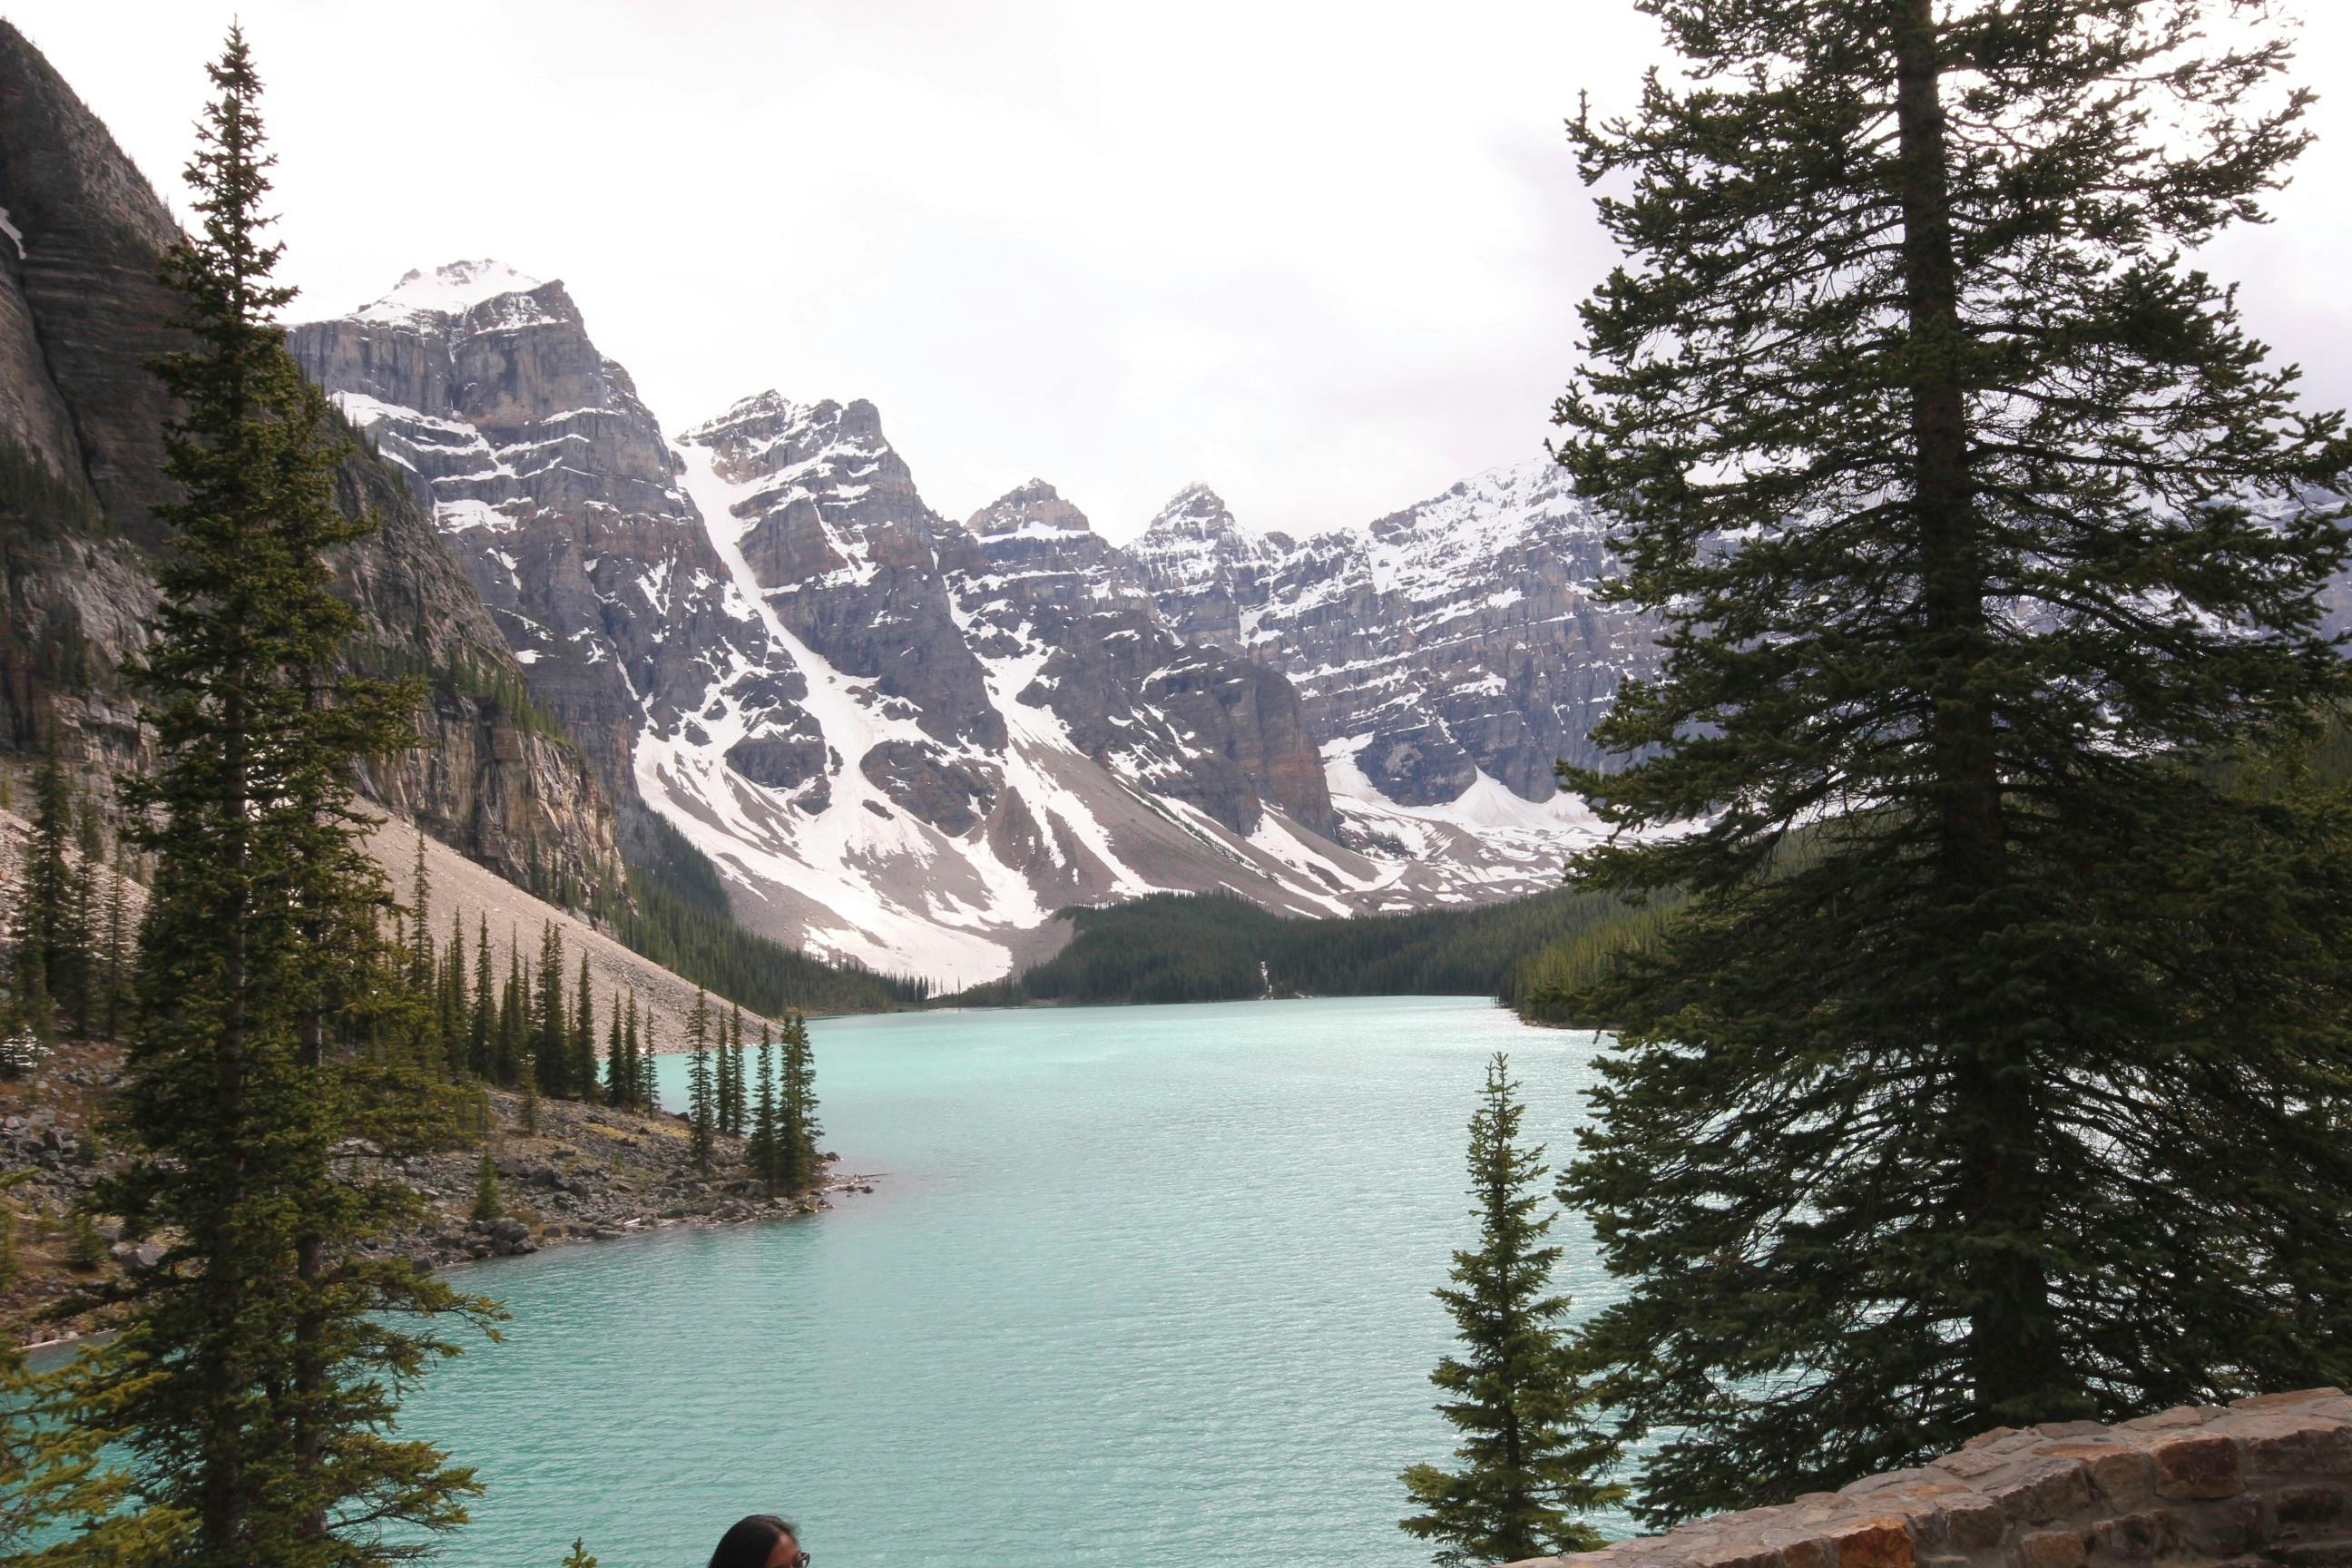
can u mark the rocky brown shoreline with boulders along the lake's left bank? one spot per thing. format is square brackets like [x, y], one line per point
[587, 1174]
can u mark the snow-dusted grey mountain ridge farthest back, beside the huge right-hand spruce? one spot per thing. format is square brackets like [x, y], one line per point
[1455, 643]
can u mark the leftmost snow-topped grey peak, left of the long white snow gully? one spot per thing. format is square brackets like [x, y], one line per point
[549, 483]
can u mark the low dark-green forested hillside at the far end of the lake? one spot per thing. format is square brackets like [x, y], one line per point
[1222, 949]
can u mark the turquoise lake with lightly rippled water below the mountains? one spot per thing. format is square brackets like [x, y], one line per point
[1140, 1287]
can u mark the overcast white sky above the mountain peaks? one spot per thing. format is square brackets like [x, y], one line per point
[1323, 257]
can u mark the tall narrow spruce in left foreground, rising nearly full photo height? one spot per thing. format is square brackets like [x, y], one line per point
[260, 1365]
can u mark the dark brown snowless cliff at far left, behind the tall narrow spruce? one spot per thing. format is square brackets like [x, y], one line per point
[81, 467]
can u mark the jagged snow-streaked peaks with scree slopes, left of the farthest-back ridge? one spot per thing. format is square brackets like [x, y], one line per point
[904, 739]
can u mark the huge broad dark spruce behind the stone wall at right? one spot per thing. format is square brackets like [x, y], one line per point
[1991, 1073]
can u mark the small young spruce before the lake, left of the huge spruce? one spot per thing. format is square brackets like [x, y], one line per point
[1532, 1461]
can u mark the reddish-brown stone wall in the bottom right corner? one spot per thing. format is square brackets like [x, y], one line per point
[2264, 1480]
